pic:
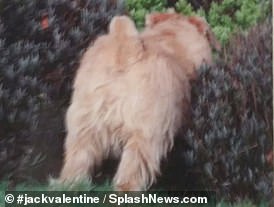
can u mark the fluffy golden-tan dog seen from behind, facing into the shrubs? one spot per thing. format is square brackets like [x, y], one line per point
[130, 96]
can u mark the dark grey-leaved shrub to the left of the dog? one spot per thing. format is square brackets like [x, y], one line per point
[41, 43]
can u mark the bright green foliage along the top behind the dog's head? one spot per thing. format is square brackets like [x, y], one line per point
[225, 17]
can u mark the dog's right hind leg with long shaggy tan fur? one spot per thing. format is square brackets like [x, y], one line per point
[138, 167]
